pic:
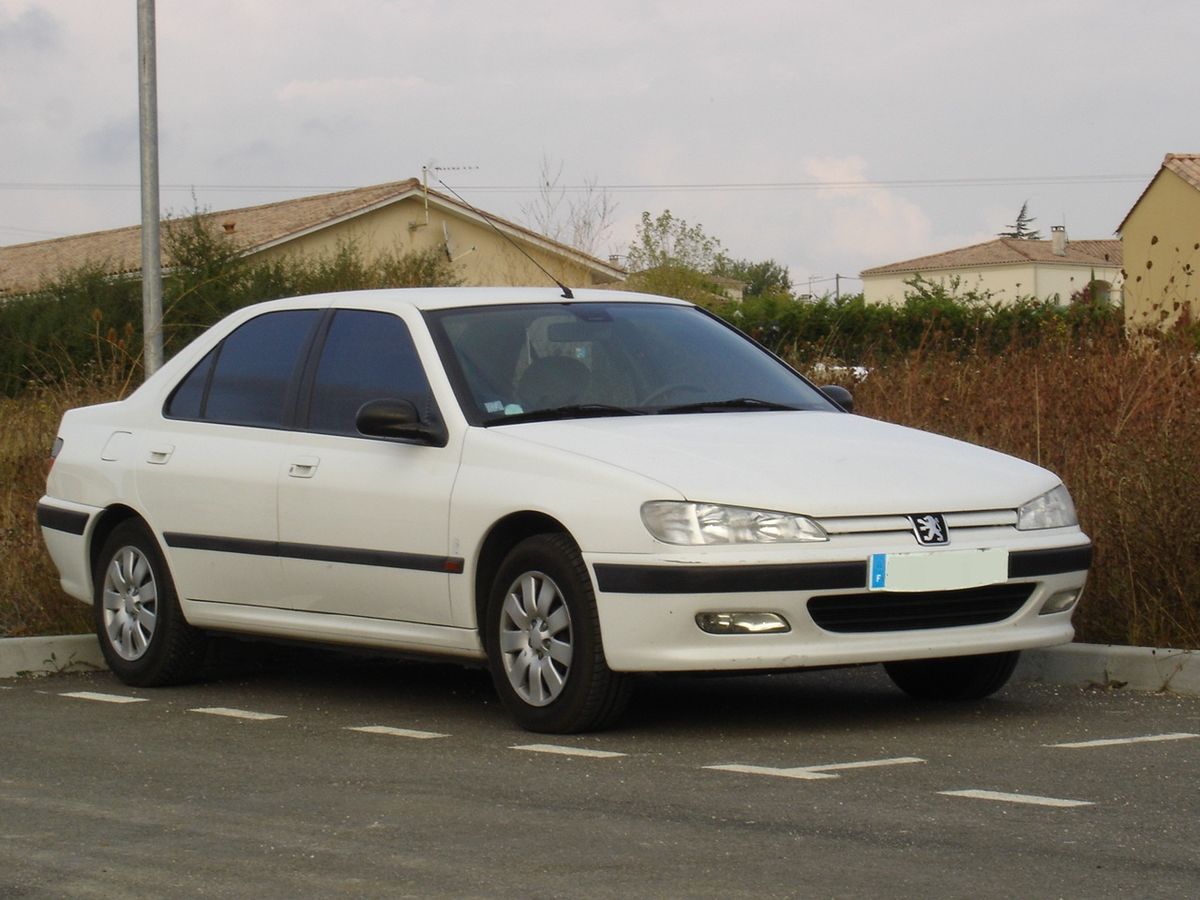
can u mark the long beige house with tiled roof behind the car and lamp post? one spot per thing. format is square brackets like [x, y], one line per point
[394, 218]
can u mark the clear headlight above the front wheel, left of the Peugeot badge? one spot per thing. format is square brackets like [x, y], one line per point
[691, 524]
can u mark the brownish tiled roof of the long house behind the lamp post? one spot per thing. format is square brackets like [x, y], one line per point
[27, 267]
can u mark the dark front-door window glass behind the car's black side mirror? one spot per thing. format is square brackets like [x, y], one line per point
[368, 356]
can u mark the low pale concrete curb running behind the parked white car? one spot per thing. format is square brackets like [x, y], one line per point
[1075, 665]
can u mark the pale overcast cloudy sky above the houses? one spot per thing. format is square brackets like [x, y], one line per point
[831, 137]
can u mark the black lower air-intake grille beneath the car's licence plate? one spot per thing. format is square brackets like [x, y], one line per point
[884, 611]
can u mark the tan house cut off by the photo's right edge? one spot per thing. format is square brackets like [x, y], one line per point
[1161, 243]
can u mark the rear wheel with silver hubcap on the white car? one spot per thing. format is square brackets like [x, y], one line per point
[143, 634]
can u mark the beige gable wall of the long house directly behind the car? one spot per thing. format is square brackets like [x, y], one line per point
[481, 256]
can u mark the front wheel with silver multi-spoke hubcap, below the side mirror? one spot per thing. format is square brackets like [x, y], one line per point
[543, 638]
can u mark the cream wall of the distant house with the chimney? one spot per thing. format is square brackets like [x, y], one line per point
[1005, 283]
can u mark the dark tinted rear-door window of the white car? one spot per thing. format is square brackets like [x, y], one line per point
[251, 373]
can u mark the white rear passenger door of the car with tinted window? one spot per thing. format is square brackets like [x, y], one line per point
[209, 475]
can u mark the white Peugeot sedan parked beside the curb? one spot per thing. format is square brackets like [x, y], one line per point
[568, 489]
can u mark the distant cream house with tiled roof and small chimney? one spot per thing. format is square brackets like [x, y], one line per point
[1007, 269]
